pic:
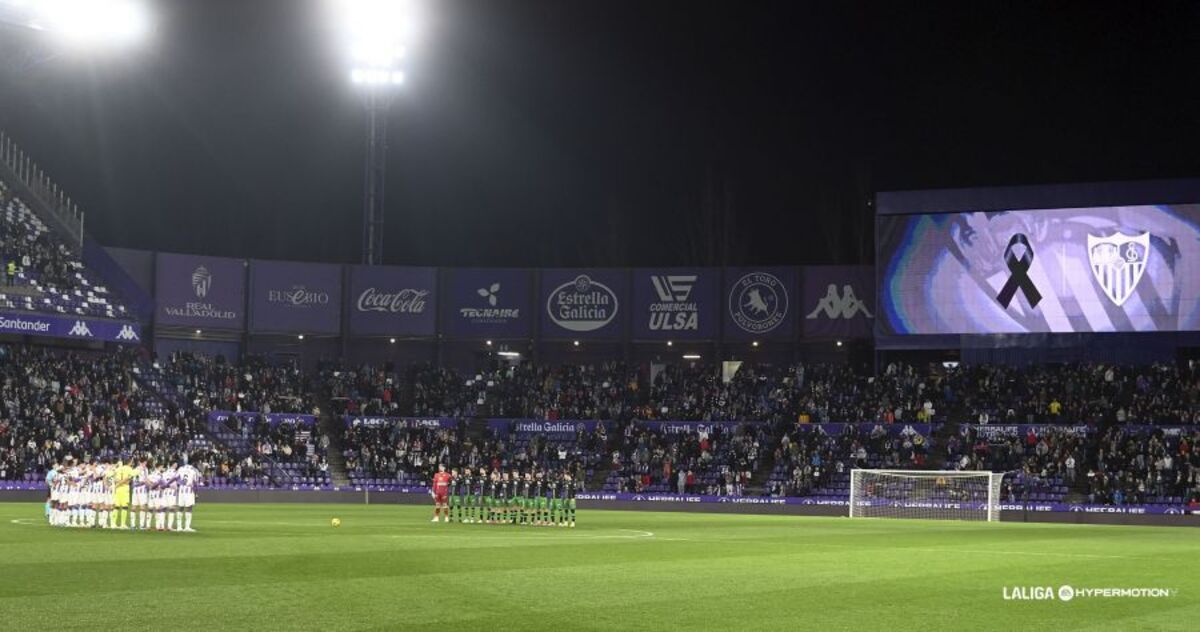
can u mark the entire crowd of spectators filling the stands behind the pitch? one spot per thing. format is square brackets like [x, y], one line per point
[56, 404]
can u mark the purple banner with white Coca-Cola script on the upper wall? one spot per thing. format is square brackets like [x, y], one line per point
[393, 302]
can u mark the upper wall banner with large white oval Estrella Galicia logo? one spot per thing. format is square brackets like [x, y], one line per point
[584, 304]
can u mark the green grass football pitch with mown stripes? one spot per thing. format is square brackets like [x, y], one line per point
[285, 568]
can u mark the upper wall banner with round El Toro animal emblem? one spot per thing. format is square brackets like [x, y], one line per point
[760, 304]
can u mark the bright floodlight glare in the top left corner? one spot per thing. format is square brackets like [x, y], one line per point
[83, 23]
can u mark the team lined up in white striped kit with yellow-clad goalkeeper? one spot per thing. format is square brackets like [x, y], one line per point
[117, 496]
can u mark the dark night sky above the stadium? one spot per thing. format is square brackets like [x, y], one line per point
[555, 133]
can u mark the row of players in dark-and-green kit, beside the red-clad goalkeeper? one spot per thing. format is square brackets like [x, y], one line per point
[535, 498]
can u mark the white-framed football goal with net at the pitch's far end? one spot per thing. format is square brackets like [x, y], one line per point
[945, 496]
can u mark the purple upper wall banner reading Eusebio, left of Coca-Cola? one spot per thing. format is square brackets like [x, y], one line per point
[296, 298]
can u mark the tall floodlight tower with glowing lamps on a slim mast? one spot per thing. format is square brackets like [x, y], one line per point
[377, 32]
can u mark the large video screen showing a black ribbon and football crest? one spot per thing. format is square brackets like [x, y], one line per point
[1057, 270]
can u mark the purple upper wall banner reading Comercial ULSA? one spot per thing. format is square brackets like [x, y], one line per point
[676, 303]
